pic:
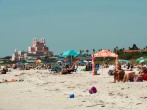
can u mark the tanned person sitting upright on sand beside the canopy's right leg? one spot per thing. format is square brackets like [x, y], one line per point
[118, 74]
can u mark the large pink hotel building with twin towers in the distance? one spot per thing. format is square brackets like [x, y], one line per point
[38, 49]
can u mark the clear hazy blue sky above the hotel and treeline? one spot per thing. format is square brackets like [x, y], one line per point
[72, 24]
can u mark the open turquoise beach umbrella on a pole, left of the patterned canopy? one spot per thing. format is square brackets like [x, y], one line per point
[71, 53]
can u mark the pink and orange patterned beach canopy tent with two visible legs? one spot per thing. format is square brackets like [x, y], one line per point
[103, 53]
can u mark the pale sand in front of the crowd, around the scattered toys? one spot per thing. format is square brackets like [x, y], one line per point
[43, 91]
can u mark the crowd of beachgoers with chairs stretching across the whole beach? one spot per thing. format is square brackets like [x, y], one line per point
[67, 68]
